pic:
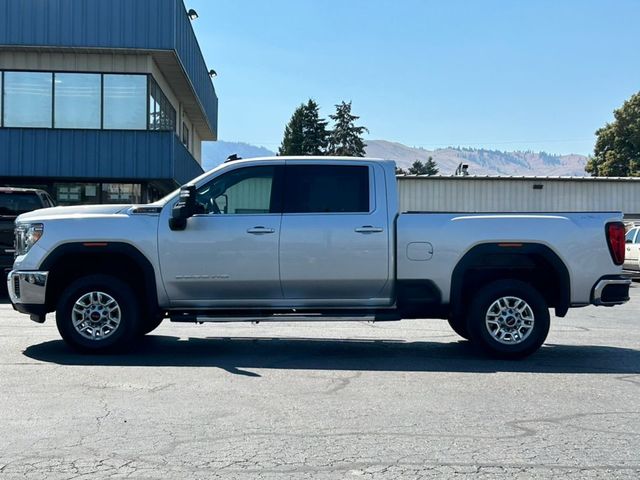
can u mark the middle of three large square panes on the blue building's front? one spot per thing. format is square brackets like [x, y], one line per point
[77, 100]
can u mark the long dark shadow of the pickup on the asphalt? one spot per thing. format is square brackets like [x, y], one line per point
[240, 355]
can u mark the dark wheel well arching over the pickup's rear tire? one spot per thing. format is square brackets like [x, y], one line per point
[534, 264]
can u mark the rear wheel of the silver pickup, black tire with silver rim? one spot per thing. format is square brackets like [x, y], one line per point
[480, 333]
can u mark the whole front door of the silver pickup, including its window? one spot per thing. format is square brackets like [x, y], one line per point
[228, 252]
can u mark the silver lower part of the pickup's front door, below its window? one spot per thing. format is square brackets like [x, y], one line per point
[221, 258]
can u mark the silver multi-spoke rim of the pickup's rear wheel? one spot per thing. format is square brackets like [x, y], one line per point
[510, 320]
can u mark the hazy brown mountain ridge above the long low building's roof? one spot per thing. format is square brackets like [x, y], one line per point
[481, 161]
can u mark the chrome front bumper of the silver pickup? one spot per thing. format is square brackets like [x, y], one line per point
[28, 292]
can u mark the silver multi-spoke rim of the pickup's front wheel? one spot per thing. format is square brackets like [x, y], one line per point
[96, 315]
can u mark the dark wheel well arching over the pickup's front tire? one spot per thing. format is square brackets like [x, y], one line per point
[70, 262]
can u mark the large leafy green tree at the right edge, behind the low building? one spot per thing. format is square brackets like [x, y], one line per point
[617, 150]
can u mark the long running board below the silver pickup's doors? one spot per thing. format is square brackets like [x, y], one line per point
[339, 316]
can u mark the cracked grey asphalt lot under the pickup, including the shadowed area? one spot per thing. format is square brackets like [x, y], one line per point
[403, 400]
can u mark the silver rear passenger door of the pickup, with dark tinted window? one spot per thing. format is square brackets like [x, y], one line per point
[339, 255]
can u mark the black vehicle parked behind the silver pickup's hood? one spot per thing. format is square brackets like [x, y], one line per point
[13, 202]
